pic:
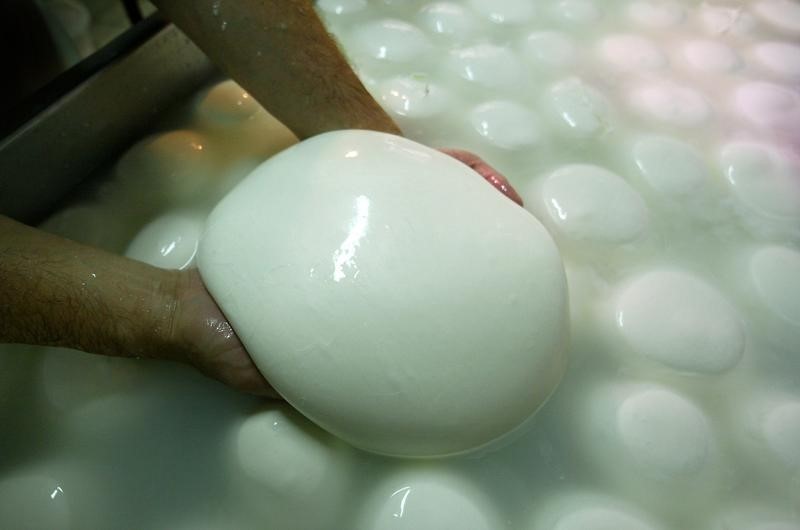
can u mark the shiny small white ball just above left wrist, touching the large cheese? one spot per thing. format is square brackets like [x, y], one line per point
[169, 242]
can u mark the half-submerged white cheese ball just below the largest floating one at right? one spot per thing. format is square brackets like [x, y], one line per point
[649, 442]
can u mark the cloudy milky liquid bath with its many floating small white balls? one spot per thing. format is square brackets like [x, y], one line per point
[656, 140]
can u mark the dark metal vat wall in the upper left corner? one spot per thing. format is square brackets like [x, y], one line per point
[92, 113]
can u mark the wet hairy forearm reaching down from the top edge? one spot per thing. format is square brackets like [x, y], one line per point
[281, 53]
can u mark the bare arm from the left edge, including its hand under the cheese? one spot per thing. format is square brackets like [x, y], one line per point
[57, 292]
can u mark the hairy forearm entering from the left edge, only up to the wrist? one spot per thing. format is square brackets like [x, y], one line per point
[58, 292]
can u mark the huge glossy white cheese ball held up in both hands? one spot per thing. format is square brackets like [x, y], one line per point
[389, 293]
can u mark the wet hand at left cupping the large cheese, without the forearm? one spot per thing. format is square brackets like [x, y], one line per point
[202, 337]
